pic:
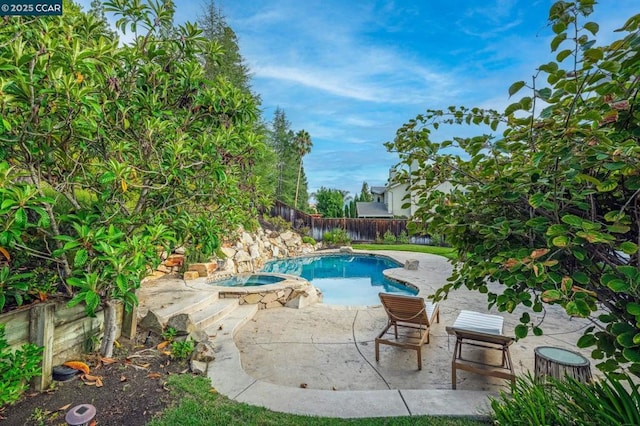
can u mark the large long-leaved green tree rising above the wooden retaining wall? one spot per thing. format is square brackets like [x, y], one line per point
[109, 153]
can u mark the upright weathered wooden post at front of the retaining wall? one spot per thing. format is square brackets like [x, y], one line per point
[41, 329]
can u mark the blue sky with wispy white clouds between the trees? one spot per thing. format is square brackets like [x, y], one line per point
[352, 72]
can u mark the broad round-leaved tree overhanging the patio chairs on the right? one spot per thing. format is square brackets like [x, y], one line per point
[550, 209]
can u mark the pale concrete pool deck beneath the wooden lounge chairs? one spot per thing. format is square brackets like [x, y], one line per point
[320, 360]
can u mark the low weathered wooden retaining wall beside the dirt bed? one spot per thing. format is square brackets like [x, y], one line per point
[64, 333]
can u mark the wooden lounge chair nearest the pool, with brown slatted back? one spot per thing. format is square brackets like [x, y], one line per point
[413, 316]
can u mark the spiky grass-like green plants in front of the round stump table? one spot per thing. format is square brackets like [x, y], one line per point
[568, 402]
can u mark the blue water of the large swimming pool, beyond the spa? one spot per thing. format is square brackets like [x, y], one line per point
[343, 279]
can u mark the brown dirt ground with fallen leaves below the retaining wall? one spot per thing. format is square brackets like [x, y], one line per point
[133, 389]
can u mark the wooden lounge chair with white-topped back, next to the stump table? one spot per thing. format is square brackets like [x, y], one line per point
[484, 331]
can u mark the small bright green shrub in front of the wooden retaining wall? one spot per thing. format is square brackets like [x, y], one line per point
[17, 368]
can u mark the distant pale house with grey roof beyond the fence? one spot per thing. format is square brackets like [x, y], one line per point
[388, 200]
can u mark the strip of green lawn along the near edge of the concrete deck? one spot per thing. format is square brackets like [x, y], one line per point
[197, 405]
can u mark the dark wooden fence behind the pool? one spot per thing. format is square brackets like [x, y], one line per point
[358, 229]
